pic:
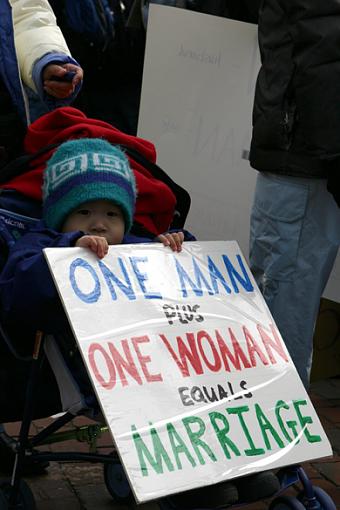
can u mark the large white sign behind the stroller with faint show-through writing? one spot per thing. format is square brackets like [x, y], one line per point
[196, 106]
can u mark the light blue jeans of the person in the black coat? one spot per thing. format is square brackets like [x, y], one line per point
[294, 239]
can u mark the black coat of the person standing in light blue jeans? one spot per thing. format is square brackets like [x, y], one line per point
[296, 117]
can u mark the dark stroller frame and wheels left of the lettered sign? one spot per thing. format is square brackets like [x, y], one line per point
[13, 493]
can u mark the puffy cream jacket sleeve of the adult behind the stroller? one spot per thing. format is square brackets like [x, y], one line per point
[36, 33]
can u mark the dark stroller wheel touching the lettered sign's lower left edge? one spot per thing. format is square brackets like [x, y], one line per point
[117, 483]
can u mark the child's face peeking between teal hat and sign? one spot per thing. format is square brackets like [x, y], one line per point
[99, 218]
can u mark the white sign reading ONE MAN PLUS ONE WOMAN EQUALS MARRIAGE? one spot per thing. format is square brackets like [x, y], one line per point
[192, 375]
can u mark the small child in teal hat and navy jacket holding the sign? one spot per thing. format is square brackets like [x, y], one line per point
[89, 196]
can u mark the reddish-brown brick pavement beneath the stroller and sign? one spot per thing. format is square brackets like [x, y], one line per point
[80, 486]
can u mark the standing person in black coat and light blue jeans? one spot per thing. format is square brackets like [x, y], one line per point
[295, 219]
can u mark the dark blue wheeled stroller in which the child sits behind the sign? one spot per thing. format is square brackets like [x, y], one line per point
[72, 398]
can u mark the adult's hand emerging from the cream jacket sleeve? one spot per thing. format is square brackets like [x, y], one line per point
[61, 89]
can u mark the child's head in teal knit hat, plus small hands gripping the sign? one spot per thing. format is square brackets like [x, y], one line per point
[101, 201]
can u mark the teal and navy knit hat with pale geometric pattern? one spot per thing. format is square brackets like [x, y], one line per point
[84, 170]
